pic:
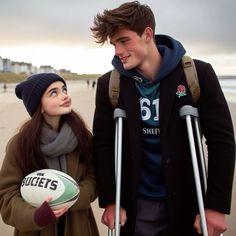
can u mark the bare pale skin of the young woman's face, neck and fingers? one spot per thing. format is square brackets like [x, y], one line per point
[55, 102]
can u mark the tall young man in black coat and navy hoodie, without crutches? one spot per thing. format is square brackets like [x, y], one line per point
[158, 195]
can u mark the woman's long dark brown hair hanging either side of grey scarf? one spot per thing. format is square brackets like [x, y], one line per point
[31, 157]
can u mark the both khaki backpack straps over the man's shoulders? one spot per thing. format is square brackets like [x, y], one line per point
[190, 74]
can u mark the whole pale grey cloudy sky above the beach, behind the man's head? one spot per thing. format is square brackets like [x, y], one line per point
[204, 27]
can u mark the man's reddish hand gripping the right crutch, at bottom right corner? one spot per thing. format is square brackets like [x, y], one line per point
[216, 223]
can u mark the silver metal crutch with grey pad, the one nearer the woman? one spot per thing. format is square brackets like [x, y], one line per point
[119, 115]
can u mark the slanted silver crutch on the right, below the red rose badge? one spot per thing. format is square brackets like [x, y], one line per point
[190, 114]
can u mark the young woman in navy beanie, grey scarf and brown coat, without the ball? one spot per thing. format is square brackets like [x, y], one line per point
[55, 137]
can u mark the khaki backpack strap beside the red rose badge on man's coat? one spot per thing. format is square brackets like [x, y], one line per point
[191, 77]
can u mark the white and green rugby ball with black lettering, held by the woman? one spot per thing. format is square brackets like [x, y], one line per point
[37, 186]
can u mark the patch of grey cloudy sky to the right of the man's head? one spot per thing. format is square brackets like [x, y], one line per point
[207, 26]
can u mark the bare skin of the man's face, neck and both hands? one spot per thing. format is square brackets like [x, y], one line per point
[140, 52]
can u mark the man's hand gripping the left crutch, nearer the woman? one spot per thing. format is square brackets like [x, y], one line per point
[108, 217]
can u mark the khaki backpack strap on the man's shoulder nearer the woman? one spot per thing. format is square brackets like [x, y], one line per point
[114, 87]
